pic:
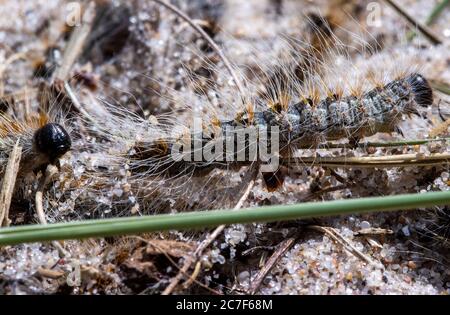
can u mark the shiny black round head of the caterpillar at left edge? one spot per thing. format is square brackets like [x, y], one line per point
[52, 140]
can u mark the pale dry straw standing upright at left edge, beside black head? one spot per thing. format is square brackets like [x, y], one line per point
[9, 181]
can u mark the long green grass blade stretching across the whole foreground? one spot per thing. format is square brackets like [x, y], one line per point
[203, 219]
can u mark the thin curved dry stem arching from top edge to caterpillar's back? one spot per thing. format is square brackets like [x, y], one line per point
[208, 39]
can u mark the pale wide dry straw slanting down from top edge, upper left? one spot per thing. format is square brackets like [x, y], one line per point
[75, 44]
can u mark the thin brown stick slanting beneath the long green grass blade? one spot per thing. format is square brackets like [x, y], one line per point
[208, 240]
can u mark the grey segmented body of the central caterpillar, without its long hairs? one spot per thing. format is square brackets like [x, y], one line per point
[307, 124]
